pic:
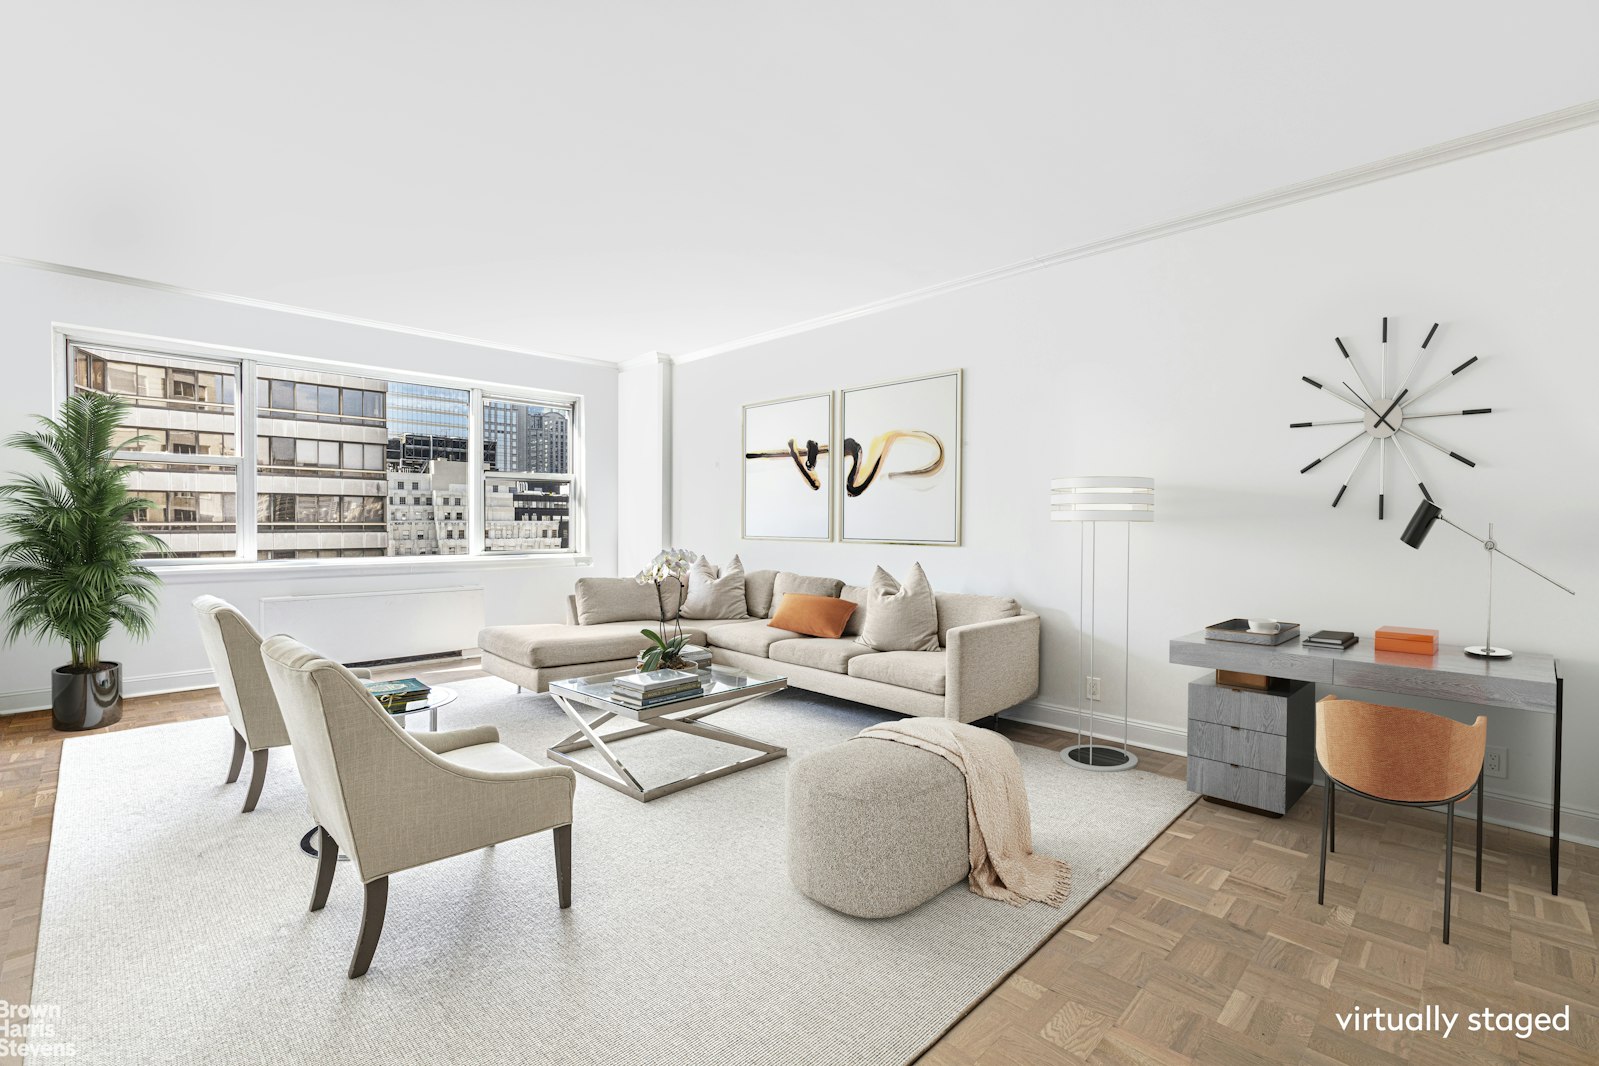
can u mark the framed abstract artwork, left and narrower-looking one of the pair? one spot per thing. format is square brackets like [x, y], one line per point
[789, 469]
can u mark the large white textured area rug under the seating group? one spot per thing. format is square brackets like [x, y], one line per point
[175, 929]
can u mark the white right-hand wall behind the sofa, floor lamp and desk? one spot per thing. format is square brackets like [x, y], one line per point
[1182, 360]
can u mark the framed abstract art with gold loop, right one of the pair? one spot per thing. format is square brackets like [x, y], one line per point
[901, 472]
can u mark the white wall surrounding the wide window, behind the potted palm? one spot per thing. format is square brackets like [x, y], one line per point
[33, 301]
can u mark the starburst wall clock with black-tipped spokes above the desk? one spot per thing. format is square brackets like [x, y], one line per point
[1387, 418]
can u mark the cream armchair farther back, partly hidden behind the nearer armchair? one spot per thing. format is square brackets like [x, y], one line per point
[234, 650]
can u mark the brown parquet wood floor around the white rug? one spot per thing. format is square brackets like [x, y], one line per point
[1210, 949]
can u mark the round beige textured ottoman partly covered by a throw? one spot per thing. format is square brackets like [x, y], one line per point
[875, 827]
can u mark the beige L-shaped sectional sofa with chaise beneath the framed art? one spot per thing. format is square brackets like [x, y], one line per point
[987, 659]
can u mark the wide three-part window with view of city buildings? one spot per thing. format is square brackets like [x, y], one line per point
[345, 464]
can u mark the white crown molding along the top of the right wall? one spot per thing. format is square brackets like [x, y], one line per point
[1515, 133]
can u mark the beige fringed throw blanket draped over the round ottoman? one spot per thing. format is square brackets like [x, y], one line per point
[1000, 829]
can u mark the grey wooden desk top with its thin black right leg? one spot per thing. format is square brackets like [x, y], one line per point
[1529, 682]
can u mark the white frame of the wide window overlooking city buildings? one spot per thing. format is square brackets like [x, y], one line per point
[245, 364]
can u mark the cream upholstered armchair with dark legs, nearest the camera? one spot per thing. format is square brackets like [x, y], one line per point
[396, 800]
